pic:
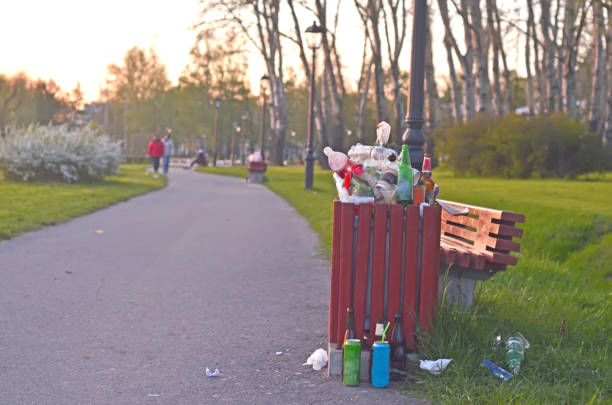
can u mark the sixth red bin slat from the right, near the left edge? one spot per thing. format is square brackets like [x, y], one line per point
[346, 266]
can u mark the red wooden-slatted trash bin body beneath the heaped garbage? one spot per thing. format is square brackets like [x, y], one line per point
[377, 268]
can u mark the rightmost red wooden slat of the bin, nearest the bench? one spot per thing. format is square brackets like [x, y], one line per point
[430, 265]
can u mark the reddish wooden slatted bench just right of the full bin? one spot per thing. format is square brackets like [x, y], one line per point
[477, 245]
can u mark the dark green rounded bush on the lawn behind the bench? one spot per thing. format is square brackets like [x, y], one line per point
[517, 146]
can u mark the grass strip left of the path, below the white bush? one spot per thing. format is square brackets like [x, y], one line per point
[28, 206]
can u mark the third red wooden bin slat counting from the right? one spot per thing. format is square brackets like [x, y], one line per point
[394, 283]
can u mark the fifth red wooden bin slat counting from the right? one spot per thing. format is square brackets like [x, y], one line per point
[361, 267]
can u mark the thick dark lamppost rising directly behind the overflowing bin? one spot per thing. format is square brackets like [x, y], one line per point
[414, 137]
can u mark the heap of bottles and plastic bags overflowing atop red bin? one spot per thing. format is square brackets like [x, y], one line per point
[375, 173]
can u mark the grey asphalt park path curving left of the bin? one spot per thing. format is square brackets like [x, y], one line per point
[209, 272]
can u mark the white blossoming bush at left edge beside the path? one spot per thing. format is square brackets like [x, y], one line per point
[58, 153]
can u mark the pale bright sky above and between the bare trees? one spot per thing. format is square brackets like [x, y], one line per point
[75, 40]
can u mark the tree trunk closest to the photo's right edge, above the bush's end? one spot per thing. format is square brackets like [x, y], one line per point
[598, 67]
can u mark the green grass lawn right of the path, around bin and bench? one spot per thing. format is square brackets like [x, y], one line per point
[564, 271]
